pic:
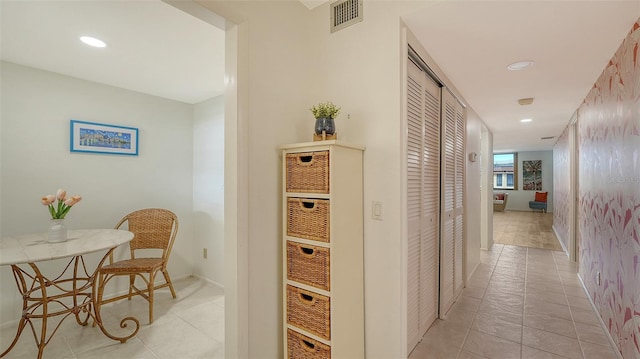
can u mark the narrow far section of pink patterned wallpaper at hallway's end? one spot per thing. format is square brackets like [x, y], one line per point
[561, 186]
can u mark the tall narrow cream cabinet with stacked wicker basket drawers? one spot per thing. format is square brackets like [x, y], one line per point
[323, 291]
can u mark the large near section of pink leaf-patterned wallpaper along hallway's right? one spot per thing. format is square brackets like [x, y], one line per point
[609, 191]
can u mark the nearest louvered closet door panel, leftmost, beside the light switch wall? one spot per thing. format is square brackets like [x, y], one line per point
[423, 202]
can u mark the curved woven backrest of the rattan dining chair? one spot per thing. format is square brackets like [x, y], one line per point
[153, 228]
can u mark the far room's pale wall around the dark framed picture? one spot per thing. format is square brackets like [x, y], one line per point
[519, 199]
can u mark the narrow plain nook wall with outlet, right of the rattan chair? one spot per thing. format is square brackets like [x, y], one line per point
[208, 189]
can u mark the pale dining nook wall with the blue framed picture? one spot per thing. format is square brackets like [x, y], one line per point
[36, 109]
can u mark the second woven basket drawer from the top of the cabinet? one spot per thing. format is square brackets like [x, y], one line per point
[308, 218]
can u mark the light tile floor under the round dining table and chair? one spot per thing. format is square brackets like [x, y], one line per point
[188, 327]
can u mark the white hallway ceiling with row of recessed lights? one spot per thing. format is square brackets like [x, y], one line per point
[571, 42]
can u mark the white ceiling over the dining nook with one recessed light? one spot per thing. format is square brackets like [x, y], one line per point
[152, 47]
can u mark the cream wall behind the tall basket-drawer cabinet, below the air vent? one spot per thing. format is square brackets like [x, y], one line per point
[293, 61]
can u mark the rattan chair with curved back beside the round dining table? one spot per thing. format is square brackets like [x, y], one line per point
[153, 228]
